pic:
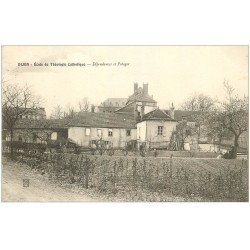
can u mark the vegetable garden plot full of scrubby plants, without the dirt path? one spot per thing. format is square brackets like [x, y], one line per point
[139, 178]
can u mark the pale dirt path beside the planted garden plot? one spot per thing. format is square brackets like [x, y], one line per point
[40, 188]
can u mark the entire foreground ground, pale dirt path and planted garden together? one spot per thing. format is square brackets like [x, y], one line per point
[62, 177]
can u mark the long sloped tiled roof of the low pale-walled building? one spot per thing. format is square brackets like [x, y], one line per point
[103, 120]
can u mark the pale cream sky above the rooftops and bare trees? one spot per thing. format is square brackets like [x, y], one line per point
[173, 72]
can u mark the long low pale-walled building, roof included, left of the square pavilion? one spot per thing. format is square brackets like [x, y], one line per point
[114, 128]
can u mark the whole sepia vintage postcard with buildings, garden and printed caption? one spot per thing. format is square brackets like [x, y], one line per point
[125, 123]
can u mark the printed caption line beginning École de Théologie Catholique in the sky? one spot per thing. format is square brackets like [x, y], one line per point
[93, 64]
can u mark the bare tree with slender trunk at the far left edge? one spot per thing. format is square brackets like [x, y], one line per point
[16, 101]
